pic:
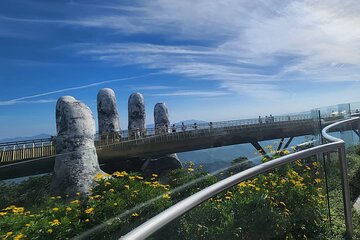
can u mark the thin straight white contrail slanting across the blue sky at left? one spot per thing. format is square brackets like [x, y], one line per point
[21, 99]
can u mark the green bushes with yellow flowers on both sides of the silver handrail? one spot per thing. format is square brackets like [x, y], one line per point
[285, 203]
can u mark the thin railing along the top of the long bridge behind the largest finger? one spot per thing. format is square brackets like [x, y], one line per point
[13, 151]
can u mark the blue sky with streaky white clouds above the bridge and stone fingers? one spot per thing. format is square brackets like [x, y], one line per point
[206, 59]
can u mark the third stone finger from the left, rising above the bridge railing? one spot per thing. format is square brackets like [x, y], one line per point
[136, 114]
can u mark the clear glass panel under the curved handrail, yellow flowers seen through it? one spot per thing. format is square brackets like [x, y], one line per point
[289, 202]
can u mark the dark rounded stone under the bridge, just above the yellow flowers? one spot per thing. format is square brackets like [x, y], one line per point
[162, 164]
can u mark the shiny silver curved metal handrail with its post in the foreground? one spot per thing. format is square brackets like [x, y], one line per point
[157, 222]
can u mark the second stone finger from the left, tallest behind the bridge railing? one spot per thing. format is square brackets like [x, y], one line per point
[108, 116]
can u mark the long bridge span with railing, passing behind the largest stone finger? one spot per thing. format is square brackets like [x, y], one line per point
[14, 161]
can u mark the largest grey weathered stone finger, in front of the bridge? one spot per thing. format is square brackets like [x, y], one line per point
[76, 163]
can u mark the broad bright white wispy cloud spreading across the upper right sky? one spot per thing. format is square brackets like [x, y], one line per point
[249, 47]
